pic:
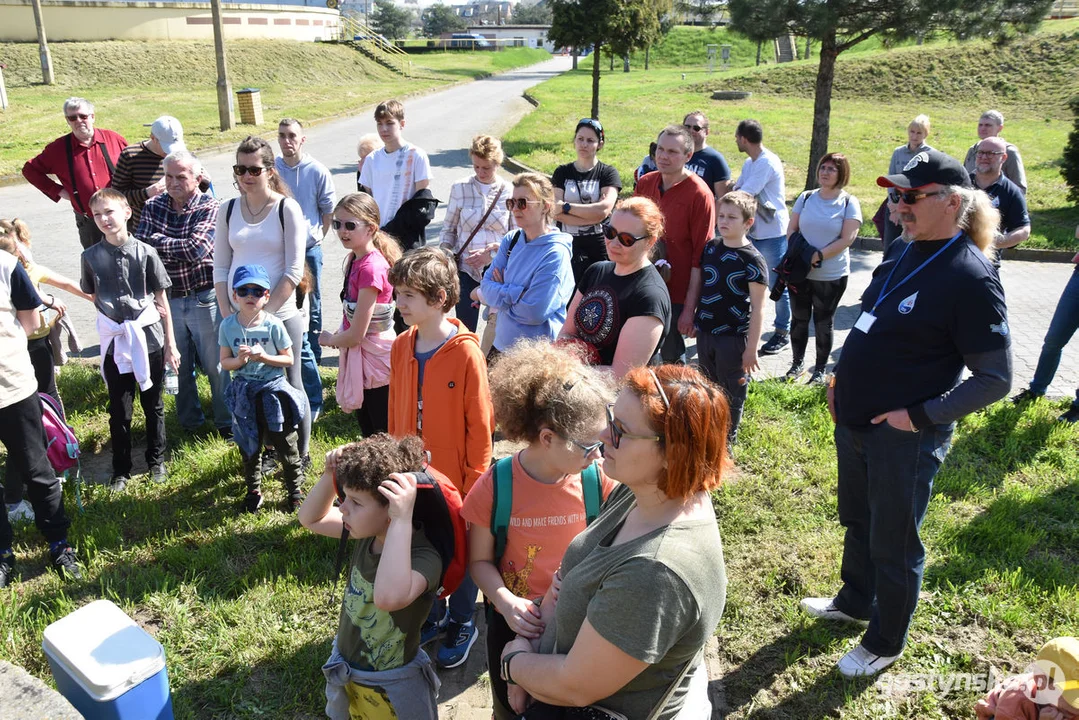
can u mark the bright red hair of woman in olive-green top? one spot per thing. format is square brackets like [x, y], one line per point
[694, 428]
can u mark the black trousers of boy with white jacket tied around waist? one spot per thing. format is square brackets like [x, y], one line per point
[122, 390]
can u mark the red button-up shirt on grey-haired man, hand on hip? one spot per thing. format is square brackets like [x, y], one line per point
[91, 170]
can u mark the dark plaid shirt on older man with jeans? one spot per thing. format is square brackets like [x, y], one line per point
[184, 239]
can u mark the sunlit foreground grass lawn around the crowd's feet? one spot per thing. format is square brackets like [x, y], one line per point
[242, 604]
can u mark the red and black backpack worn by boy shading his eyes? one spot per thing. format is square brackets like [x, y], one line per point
[439, 511]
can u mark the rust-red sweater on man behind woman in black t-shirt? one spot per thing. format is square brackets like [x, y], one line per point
[689, 224]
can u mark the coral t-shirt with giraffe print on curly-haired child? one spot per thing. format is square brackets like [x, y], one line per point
[543, 521]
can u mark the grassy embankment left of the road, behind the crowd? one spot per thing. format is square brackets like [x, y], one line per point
[133, 83]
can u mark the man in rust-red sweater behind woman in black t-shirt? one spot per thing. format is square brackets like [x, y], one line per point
[689, 208]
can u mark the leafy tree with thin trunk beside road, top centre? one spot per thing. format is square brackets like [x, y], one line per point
[620, 25]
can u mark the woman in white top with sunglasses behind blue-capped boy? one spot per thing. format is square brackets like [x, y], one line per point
[265, 226]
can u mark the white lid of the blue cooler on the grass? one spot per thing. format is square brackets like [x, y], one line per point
[104, 650]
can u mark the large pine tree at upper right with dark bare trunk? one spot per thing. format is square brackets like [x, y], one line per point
[840, 25]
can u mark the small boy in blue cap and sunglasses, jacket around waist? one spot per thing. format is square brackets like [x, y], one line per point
[256, 349]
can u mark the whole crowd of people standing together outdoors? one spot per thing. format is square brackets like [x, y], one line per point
[596, 547]
